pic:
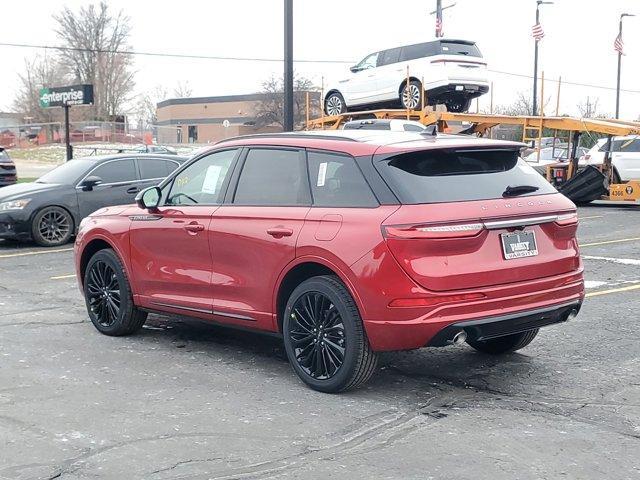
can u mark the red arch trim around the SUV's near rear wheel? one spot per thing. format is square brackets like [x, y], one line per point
[299, 271]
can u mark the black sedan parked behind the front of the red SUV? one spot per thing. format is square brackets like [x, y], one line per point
[49, 210]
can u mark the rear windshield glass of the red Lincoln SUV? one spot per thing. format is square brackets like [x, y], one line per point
[455, 175]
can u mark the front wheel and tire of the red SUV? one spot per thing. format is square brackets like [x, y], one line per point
[111, 313]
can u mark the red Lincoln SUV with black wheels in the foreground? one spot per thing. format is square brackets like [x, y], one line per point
[346, 244]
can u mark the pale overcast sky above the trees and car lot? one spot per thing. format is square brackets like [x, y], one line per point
[578, 43]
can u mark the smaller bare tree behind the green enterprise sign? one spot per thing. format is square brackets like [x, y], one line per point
[39, 72]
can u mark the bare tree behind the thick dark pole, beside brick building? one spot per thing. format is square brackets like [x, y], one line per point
[270, 110]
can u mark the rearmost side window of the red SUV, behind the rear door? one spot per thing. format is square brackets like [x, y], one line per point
[336, 181]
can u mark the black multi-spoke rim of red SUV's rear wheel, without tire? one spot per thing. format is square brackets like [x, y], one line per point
[317, 335]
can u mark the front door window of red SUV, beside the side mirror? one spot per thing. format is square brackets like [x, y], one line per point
[202, 181]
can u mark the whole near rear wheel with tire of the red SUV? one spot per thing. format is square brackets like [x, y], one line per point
[338, 354]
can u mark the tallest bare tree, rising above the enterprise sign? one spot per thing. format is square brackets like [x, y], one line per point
[95, 34]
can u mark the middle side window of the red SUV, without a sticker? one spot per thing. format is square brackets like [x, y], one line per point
[272, 177]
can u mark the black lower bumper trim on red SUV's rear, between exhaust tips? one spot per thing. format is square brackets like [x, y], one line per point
[492, 327]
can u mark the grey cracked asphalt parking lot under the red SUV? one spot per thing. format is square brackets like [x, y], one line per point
[189, 400]
